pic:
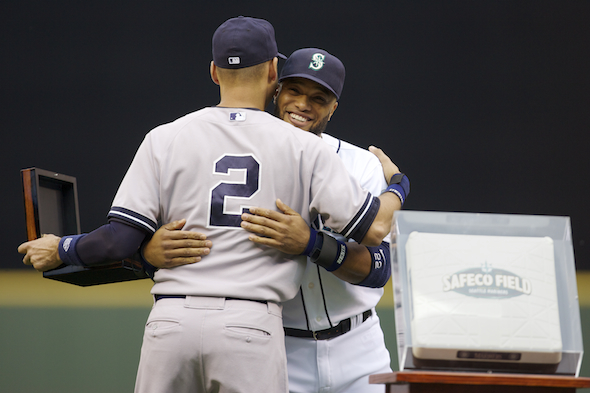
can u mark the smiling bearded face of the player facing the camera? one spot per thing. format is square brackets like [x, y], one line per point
[305, 104]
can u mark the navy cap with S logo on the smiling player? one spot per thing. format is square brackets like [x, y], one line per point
[317, 65]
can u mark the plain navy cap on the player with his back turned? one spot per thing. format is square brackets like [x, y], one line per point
[244, 42]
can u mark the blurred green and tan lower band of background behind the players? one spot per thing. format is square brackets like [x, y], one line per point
[56, 337]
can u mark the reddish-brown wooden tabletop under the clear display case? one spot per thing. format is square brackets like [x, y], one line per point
[461, 382]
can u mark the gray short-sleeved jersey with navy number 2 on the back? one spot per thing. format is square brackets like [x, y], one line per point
[211, 165]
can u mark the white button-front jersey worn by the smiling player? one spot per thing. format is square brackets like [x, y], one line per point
[324, 299]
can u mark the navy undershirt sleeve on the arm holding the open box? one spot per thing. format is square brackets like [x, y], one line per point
[111, 242]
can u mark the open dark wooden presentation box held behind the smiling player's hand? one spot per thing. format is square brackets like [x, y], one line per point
[51, 206]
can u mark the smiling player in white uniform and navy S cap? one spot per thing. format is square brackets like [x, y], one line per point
[333, 337]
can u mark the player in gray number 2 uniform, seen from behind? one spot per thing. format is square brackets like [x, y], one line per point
[216, 325]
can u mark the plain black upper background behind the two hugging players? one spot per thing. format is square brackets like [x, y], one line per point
[484, 104]
